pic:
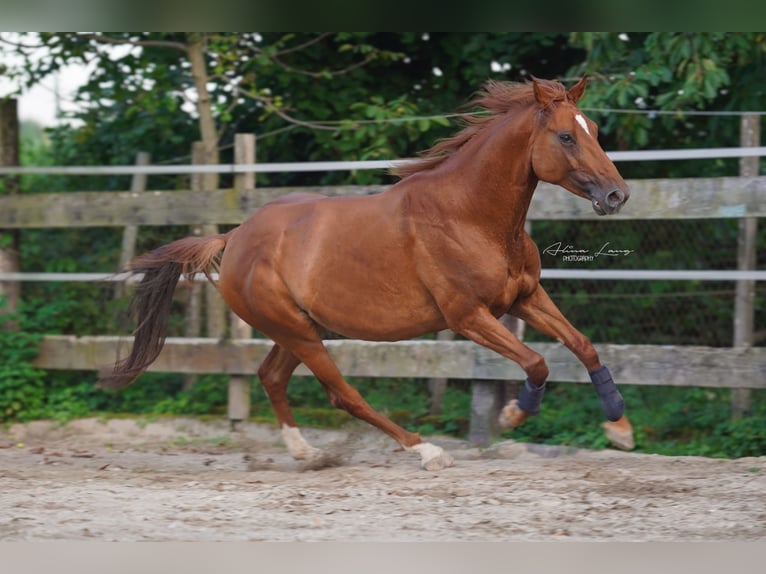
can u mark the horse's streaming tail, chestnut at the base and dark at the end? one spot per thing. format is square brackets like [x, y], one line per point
[153, 297]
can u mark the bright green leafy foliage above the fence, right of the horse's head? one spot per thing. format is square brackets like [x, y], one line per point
[666, 75]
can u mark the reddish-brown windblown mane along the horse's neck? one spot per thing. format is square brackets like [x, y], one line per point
[491, 102]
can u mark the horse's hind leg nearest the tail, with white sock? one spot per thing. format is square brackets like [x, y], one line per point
[274, 374]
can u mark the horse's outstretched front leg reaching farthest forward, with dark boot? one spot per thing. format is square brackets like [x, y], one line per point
[539, 311]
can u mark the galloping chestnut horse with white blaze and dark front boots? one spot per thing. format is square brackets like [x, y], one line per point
[445, 247]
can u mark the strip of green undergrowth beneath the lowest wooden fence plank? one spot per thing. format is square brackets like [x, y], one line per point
[666, 420]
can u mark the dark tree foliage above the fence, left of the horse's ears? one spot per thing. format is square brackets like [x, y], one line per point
[310, 96]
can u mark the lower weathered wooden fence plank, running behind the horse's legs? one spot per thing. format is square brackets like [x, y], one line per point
[630, 364]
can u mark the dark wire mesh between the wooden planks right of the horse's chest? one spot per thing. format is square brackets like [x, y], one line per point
[663, 312]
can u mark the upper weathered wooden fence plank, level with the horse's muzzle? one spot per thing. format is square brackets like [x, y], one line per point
[683, 198]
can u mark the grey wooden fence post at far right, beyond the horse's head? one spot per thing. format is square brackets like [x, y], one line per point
[744, 303]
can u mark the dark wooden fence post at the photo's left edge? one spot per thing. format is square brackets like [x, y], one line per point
[10, 291]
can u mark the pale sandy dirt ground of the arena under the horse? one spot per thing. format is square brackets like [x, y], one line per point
[187, 480]
